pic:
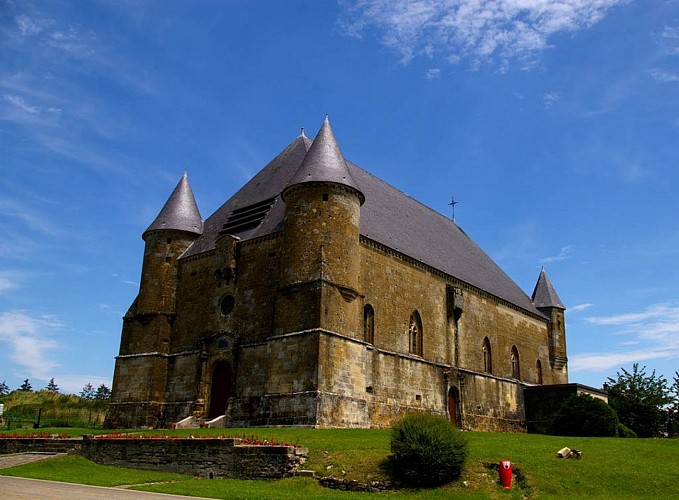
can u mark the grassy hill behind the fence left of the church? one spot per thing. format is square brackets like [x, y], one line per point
[58, 410]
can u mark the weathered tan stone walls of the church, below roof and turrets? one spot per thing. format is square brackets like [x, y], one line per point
[290, 370]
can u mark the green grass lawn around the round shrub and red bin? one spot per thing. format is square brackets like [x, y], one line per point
[610, 467]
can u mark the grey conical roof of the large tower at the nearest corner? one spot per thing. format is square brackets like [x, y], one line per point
[324, 162]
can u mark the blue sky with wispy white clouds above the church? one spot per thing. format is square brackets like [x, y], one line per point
[553, 124]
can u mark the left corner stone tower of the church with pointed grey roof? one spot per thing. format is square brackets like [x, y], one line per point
[140, 376]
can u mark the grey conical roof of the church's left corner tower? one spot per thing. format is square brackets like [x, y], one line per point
[180, 212]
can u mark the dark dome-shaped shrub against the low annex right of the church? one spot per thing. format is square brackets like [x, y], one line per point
[584, 415]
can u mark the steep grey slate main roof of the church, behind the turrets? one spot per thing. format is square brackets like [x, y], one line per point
[388, 216]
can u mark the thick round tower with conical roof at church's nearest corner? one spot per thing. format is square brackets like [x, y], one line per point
[320, 262]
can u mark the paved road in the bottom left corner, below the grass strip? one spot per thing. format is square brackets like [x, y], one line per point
[14, 488]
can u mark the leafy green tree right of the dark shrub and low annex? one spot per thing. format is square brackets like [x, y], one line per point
[639, 400]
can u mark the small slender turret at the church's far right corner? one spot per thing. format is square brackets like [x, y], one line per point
[548, 302]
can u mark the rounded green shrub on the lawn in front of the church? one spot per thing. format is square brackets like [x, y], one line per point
[427, 450]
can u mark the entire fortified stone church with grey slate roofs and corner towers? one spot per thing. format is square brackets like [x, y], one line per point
[319, 295]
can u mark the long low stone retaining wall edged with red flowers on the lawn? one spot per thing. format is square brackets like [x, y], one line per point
[213, 457]
